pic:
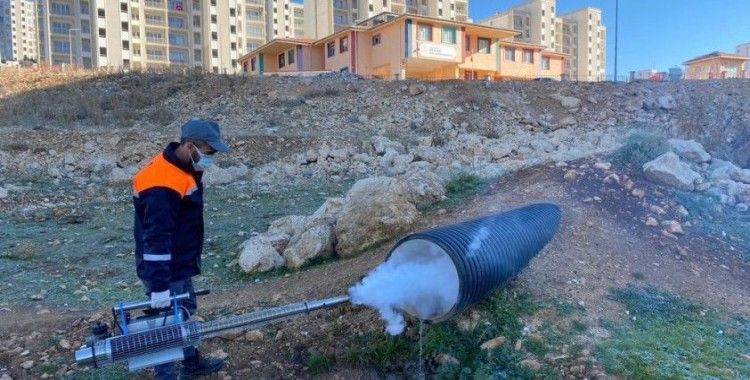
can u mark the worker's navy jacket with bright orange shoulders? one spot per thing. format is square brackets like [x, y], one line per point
[168, 200]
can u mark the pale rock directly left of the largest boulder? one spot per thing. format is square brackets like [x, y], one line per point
[317, 240]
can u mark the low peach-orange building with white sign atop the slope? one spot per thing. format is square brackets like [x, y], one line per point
[392, 46]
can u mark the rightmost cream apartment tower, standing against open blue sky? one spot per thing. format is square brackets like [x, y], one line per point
[585, 40]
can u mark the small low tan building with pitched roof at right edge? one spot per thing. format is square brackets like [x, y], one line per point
[716, 65]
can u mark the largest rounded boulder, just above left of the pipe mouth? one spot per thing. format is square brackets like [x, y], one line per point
[376, 209]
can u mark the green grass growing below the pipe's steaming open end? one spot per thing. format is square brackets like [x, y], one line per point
[502, 315]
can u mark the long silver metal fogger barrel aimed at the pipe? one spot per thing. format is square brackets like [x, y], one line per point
[146, 346]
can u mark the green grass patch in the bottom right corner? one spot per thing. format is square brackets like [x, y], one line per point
[674, 338]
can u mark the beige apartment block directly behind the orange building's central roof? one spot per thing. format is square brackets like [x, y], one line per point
[325, 17]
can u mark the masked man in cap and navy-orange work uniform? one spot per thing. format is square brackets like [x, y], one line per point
[168, 199]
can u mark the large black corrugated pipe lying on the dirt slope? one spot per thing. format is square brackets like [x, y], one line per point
[487, 252]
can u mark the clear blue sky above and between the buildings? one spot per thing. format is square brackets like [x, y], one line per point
[656, 34]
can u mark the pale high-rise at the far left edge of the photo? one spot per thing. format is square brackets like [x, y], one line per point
[18, 30]
